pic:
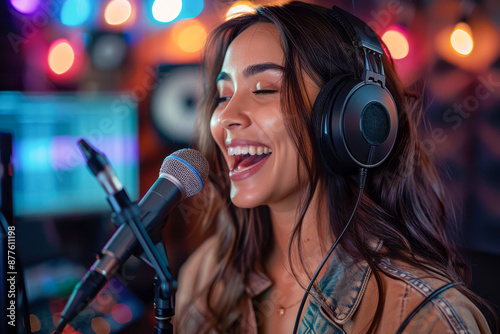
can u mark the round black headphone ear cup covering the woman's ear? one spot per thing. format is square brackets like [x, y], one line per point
[356, 124]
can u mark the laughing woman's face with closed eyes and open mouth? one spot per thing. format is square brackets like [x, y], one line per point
[248, 124]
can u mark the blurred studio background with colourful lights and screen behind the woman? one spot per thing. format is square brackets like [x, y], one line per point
[124, 74]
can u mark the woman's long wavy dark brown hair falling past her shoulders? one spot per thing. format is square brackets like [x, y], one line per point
[403, 204]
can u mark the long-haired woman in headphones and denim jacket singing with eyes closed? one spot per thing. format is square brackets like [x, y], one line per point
[281, 199]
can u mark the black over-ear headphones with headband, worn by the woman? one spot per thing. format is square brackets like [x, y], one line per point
[357, 118]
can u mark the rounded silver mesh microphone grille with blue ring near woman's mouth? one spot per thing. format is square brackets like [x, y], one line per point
[188, 166]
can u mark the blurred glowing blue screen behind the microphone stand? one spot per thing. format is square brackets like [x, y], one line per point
[50, 175]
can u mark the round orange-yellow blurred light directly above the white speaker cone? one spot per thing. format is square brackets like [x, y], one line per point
[190, 36]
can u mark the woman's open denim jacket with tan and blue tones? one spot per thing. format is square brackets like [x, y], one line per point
[348, 299]
